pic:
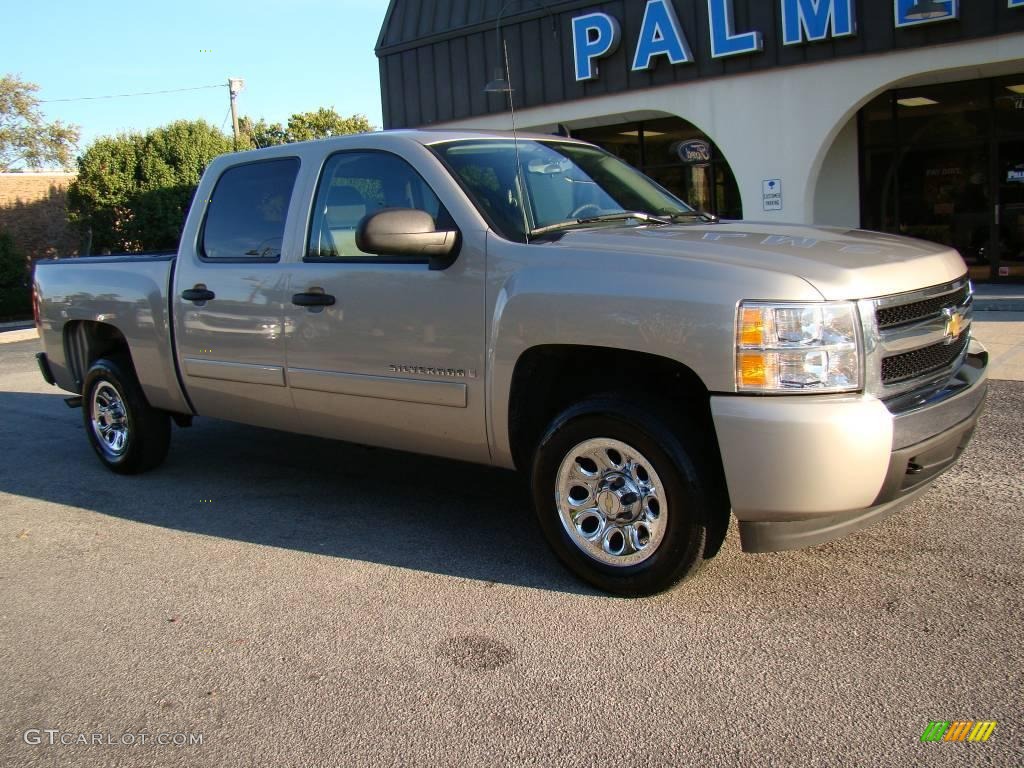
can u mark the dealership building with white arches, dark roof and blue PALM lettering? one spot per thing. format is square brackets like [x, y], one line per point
[904, 116]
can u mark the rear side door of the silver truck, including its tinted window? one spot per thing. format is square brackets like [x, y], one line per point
[230, 293]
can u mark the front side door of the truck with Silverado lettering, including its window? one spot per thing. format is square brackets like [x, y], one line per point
[383, 351]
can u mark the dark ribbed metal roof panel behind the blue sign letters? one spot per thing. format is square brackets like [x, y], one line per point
[437, 56]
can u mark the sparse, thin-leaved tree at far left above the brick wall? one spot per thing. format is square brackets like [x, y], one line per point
[26, 139]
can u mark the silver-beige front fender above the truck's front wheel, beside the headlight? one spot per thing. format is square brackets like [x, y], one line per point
[681, 311]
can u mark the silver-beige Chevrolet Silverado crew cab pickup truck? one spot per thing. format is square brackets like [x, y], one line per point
[533, 303]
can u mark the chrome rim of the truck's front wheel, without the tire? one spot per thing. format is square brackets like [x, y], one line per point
[612, 502]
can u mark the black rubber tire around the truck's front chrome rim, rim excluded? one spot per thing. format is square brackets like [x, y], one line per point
[687, 490]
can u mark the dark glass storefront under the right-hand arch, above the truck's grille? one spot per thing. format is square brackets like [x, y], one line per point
[948, 165]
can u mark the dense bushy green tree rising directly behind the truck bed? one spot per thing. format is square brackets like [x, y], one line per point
[134, 191]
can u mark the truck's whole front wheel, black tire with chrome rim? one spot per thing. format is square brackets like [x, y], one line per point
[621, 498]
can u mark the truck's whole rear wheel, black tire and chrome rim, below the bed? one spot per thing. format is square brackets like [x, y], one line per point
[125, 432]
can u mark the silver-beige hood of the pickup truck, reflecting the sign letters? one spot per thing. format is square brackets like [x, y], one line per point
[839, 264]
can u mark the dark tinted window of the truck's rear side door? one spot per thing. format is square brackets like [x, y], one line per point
[246, 216]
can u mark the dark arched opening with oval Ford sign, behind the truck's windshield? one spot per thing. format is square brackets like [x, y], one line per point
[677, 155]
